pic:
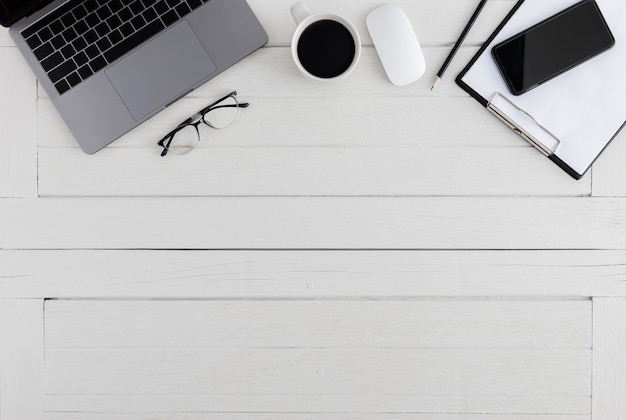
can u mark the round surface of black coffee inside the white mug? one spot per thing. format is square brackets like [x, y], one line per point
[326, 49]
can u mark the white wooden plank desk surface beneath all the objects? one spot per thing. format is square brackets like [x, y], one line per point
[355, 251]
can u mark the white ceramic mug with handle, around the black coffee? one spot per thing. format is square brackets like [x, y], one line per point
[305, 19]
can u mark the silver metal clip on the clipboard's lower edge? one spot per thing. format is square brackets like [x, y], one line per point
[523, 124]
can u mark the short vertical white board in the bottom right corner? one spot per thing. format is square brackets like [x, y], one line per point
[609, 358]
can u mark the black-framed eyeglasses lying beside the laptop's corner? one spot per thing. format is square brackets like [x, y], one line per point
[186, 135]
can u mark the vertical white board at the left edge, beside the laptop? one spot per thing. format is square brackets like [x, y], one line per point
[18, 116]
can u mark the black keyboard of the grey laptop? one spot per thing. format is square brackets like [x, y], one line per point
[82, 37]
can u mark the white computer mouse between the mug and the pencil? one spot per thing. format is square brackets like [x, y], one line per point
[396, 44]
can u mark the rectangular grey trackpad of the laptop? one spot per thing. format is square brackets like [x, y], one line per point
[161, 71]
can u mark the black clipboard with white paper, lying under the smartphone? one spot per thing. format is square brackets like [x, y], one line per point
[570, 119]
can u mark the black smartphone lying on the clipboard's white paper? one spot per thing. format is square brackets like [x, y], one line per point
[553, 46]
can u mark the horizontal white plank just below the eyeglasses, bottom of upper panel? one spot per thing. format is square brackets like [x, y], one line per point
[320, 171]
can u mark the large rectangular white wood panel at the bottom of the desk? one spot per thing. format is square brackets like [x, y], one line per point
[321, 357]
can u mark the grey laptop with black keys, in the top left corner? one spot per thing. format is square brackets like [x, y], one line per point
[109, 65]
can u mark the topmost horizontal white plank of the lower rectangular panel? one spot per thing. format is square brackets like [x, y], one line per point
[327, 324]
